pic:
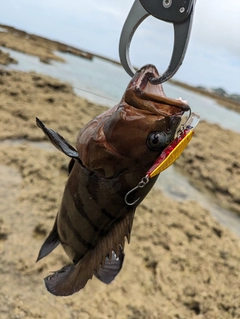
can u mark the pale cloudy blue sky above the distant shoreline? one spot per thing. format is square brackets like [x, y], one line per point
[213, 55]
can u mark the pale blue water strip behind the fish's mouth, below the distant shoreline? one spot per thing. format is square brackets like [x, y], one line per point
[91, 78]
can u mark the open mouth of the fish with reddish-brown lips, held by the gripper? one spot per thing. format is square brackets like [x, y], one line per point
[144, 95]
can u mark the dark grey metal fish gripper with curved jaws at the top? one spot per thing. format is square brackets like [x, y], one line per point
[179, 12]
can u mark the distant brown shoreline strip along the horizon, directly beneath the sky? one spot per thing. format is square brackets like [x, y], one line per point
[45, 49]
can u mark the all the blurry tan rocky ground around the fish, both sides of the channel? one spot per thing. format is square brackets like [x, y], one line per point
[180, 263]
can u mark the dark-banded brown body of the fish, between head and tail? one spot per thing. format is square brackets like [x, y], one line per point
[90, 207]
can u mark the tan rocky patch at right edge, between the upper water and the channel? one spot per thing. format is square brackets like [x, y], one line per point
[211, 162]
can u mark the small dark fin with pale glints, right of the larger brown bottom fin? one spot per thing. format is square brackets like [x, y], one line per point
[111, 268]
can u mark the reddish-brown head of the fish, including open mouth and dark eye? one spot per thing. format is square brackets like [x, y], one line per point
[130, 136]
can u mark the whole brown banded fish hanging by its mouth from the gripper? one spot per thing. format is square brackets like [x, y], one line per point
[113, 152]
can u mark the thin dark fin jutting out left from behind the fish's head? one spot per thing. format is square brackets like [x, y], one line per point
[58, 141]
